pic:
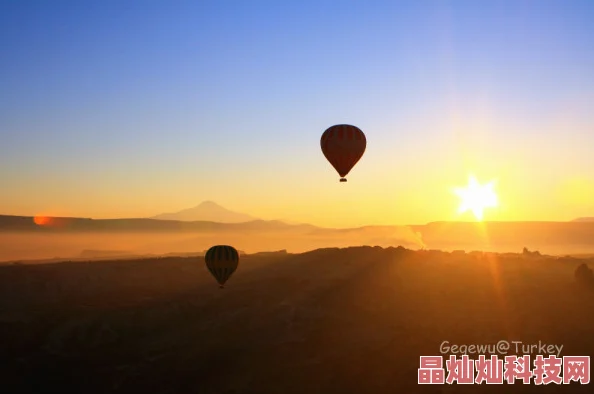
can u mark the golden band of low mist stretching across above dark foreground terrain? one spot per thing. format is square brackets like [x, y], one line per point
[548, 238]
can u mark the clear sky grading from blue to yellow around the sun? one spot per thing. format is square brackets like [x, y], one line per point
[133, 108]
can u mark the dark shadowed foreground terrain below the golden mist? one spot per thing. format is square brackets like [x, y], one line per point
[350, 320]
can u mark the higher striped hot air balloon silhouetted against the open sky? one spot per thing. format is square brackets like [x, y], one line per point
[343, 145]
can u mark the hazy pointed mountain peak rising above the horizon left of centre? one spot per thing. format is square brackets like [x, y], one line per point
[208, 211]
